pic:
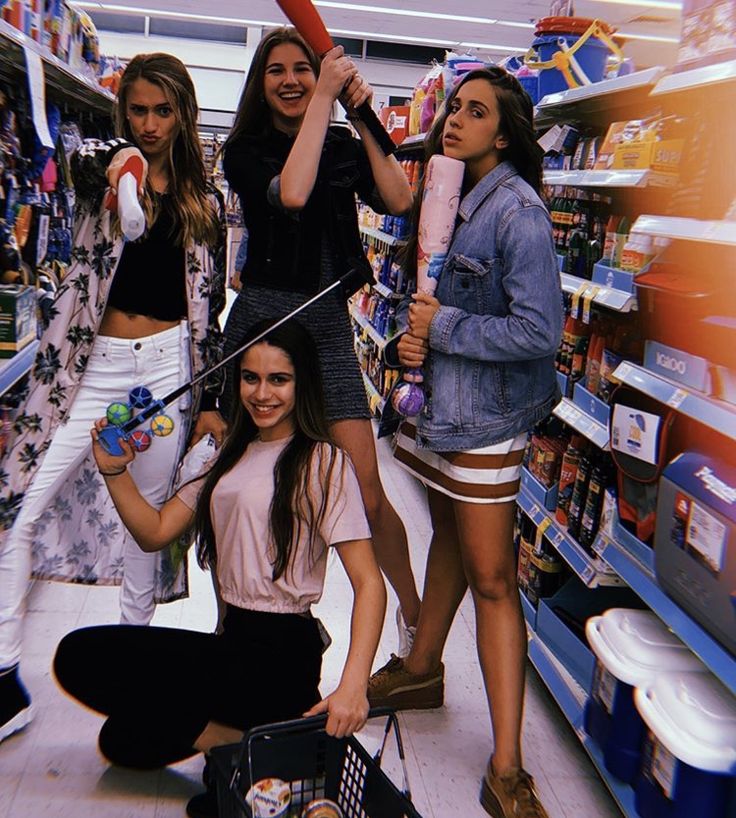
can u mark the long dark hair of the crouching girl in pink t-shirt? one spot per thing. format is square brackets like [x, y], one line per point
[294, 507]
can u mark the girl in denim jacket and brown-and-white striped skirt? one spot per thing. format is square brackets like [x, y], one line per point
[487, 342]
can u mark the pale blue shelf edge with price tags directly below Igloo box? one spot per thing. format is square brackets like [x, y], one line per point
[713, 413]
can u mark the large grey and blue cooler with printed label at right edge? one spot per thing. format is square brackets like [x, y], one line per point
[695, 541]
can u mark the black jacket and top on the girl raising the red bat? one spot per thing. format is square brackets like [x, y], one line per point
[284, 247]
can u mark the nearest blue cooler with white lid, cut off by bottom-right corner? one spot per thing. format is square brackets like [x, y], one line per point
[689, 757]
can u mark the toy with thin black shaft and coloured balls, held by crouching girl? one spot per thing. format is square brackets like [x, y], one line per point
[125, 423]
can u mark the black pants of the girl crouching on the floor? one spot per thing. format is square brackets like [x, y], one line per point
[159, 687]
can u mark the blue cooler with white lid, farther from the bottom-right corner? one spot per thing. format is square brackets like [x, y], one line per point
[631, 647]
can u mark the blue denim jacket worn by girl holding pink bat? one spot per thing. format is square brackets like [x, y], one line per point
[490, 374]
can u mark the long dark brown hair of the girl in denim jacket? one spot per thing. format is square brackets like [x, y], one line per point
[516, 112]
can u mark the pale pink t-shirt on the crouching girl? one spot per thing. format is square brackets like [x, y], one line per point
[240, 508]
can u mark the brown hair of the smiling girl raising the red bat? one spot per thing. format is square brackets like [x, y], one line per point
[253, 116]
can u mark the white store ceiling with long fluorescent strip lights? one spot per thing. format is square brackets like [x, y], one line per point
[435, 23]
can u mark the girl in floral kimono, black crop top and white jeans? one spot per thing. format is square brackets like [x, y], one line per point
[126, 314]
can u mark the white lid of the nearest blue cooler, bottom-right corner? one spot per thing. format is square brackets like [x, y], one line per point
[694, 716]
